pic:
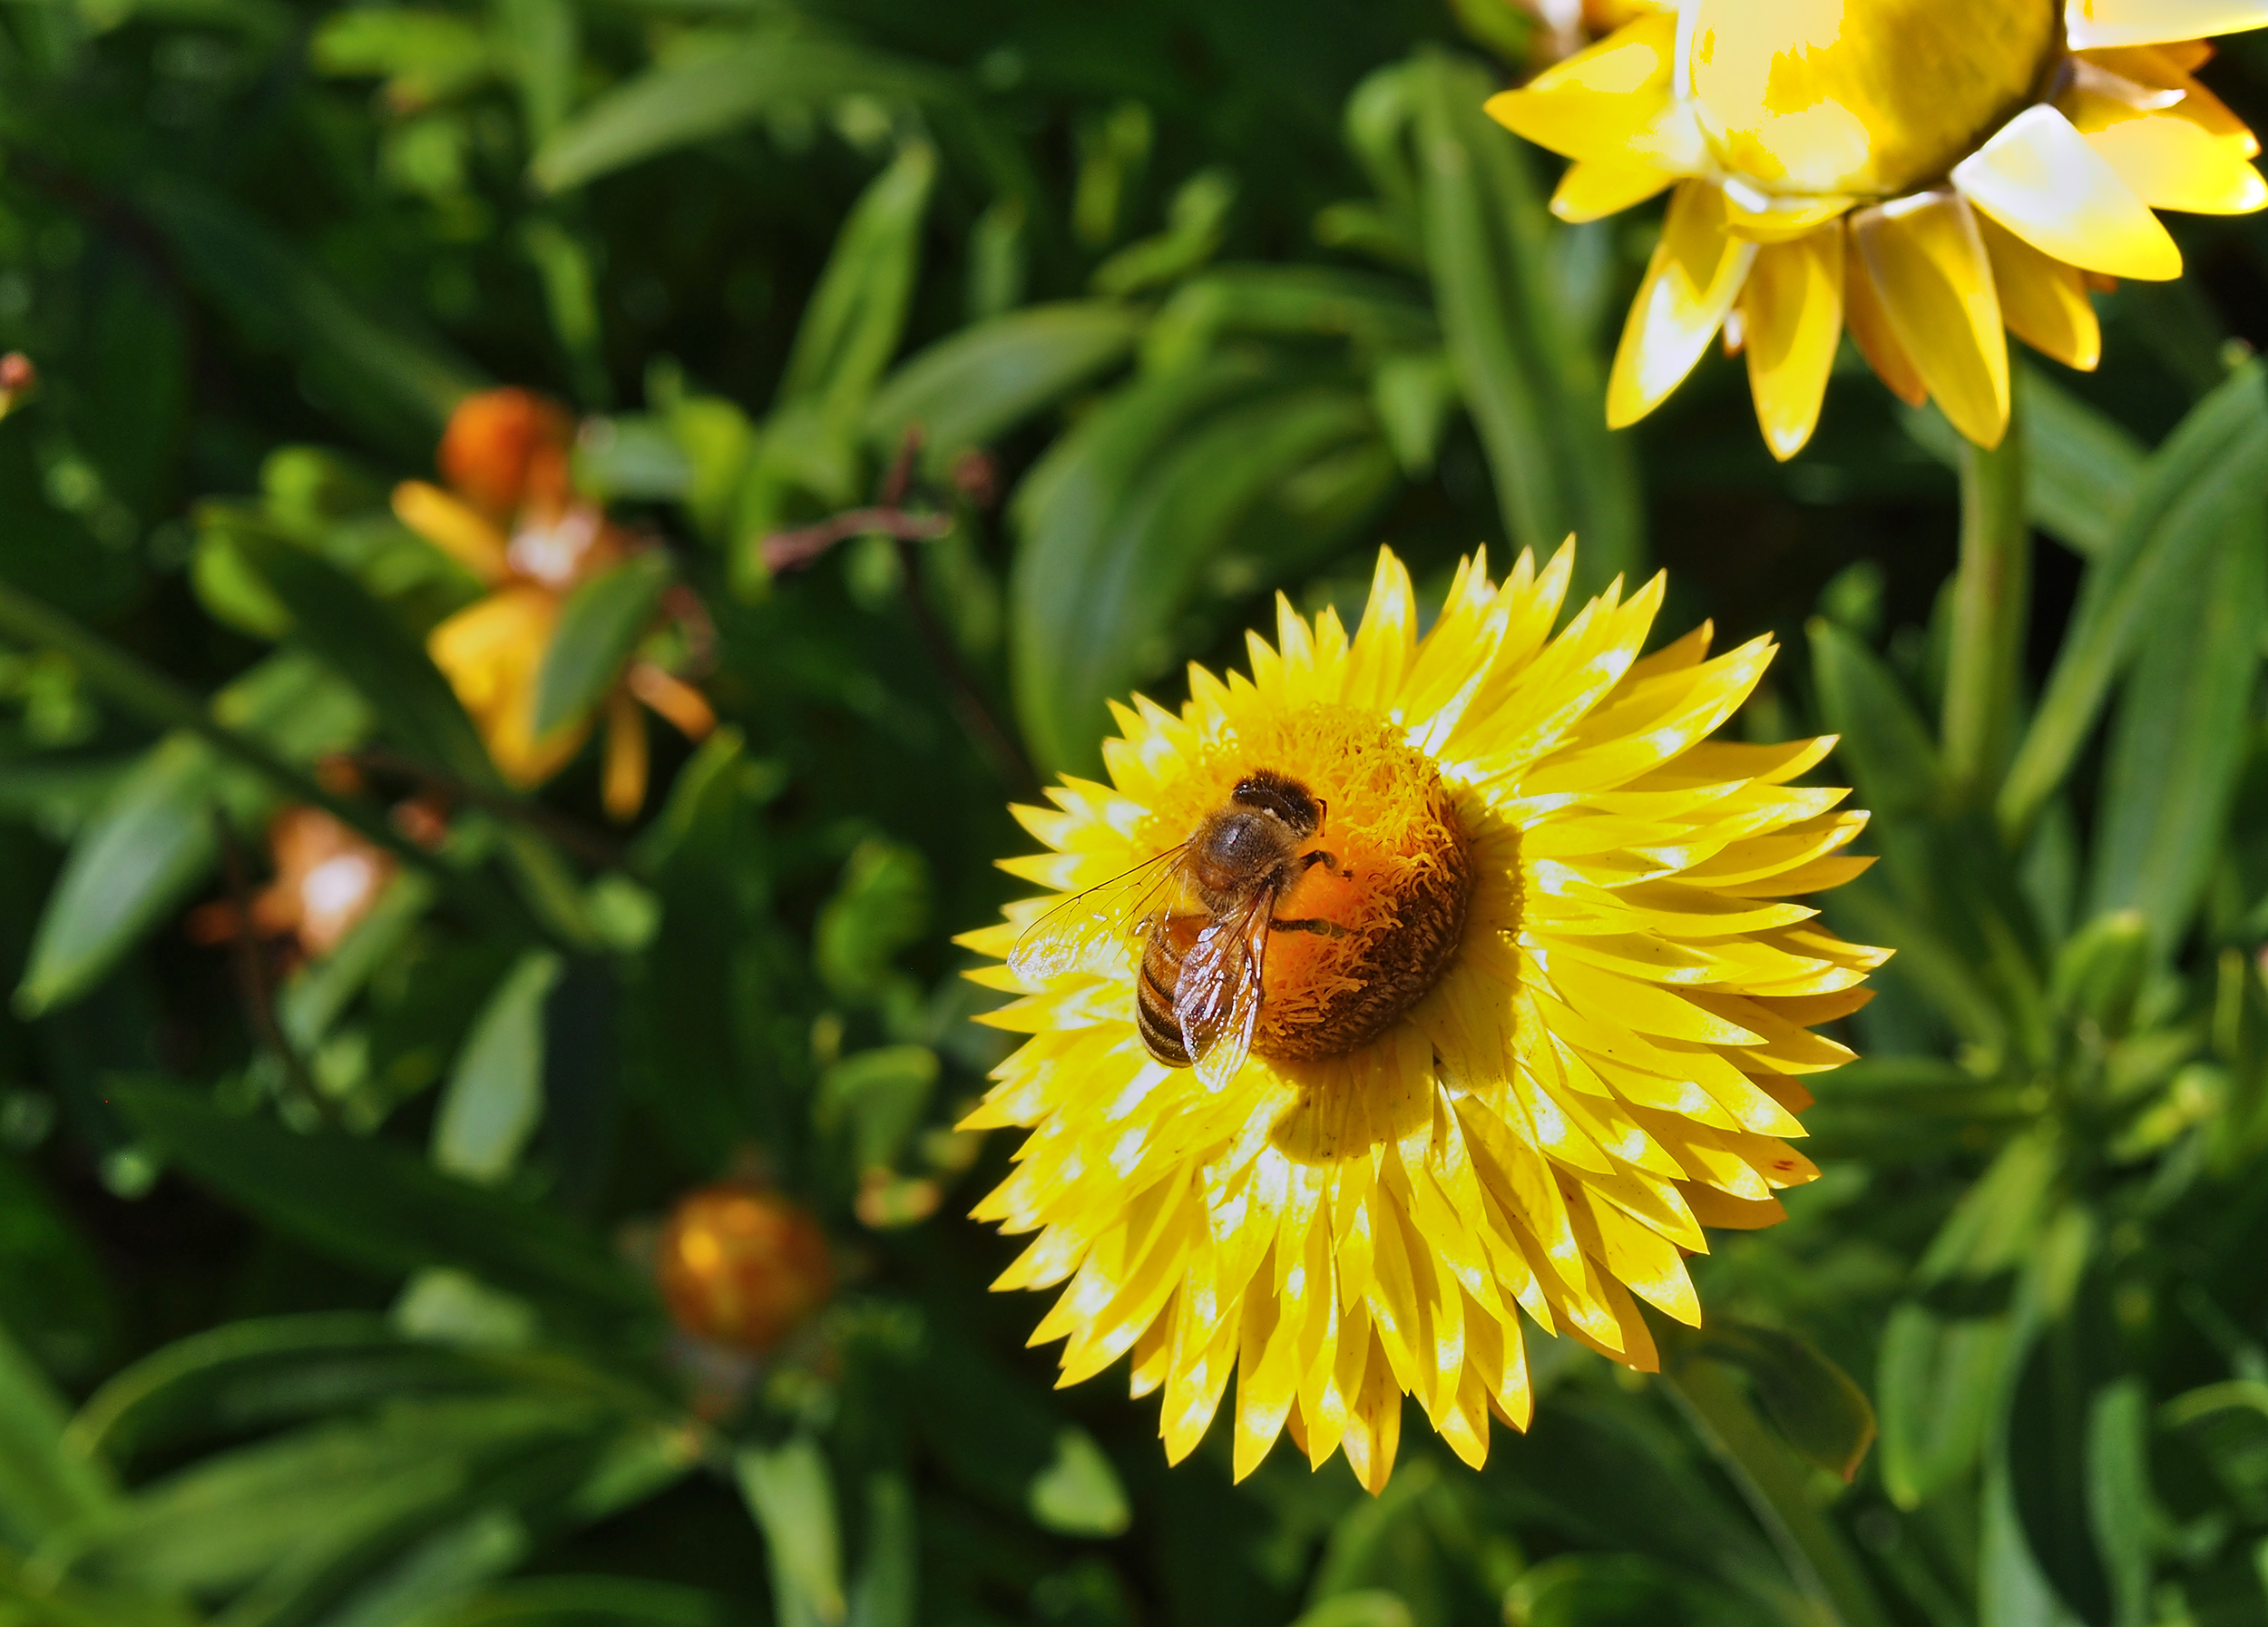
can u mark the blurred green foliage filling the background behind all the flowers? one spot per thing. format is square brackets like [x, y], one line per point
[321, 1290]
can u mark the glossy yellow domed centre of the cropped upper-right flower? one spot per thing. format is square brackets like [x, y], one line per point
[1863, 96]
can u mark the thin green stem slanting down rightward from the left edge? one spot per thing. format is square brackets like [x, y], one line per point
[167, 705]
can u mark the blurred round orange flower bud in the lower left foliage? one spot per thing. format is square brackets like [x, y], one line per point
[743, 1265]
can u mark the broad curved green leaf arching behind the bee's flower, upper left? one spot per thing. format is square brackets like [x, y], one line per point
[1128, 512]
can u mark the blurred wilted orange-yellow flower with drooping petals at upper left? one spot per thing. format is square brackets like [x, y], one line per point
[518, 525]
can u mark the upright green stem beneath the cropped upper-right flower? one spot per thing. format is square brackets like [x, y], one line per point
[1990, 600]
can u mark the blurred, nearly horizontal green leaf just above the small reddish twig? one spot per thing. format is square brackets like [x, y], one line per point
[983, 380]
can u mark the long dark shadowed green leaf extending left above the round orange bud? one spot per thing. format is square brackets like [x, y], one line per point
[384, 1208]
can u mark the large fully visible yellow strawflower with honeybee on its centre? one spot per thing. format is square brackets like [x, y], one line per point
[1532, 1011]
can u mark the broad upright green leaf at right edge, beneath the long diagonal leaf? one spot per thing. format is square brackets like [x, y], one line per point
[2183, 725]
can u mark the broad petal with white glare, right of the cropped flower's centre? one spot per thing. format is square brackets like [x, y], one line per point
[2042, 180]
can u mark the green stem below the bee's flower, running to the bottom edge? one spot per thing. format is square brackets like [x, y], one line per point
[1777, 1485]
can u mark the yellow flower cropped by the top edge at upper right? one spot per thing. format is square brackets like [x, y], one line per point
[1920, 171]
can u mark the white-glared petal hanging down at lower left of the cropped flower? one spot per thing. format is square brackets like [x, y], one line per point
[1691, 285]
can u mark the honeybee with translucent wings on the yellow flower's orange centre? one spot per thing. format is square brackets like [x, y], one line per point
[1203, 913]
